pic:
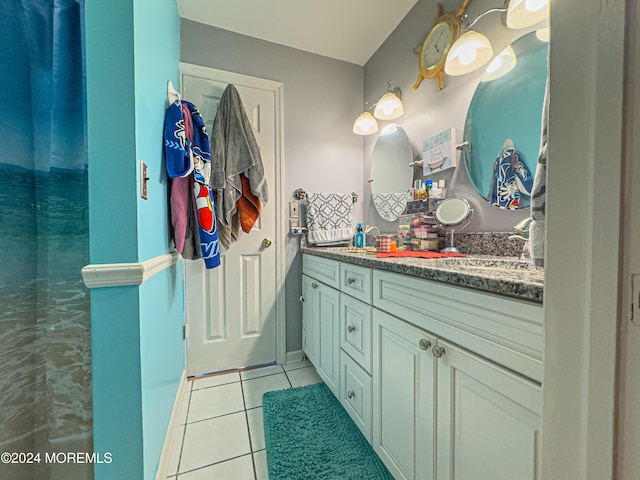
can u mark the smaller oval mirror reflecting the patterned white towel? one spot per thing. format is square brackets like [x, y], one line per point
[391, 174]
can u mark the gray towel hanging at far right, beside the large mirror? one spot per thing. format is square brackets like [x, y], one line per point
[539, 191]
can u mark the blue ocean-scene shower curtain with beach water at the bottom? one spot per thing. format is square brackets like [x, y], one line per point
[45, 343]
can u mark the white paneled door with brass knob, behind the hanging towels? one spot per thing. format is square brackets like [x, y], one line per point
[232, 309]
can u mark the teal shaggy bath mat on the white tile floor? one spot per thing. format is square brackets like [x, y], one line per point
[309, 436]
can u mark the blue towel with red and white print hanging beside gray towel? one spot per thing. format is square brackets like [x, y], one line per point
[191, 156]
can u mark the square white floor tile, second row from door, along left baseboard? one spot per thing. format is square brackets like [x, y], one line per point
[215, 401]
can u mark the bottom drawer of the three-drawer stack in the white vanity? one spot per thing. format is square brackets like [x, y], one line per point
[356, 393]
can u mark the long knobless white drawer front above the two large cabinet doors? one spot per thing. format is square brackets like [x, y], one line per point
[507, 331]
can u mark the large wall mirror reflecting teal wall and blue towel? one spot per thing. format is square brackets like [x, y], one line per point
[504, 121]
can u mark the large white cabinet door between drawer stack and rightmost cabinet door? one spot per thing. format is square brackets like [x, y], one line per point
[403, 398]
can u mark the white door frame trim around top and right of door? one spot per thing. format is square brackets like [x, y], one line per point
[277, 88]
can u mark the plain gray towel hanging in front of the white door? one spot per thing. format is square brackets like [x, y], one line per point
[234, 151]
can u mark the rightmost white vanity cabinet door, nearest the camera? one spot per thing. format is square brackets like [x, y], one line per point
[489, 420]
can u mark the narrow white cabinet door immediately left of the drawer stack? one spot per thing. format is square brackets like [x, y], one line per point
[328, 317]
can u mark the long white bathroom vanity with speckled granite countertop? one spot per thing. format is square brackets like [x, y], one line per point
[438, 362]
